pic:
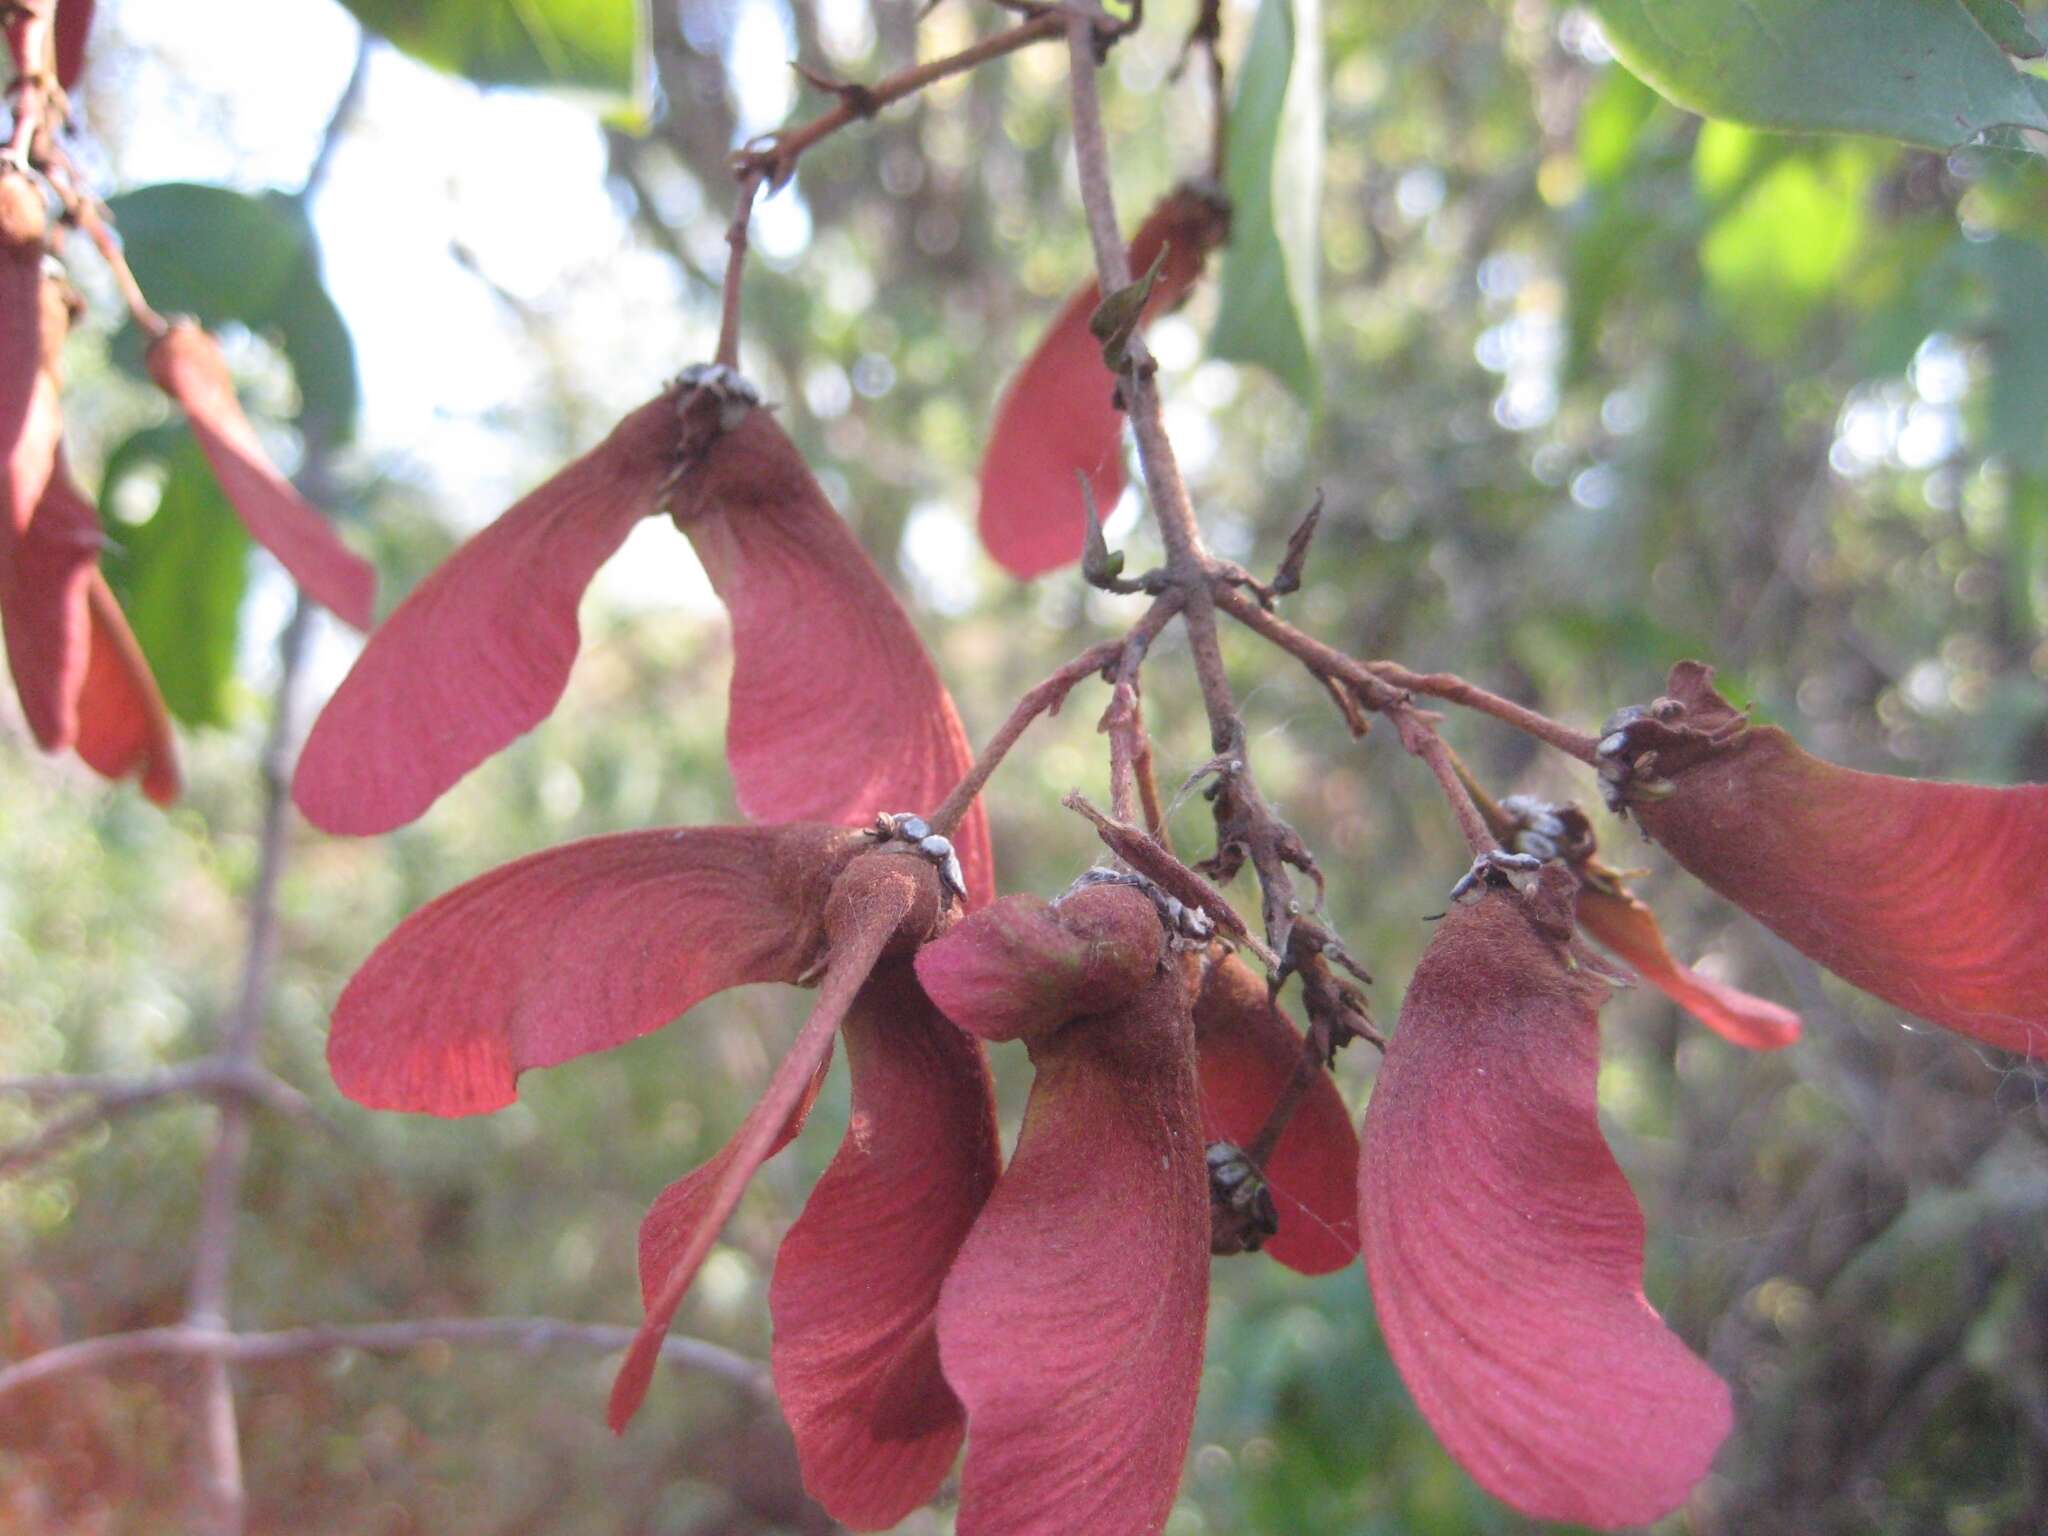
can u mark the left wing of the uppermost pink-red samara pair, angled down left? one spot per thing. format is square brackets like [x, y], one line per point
[482, 650]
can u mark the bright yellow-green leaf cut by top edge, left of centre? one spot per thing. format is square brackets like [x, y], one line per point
[579, 44]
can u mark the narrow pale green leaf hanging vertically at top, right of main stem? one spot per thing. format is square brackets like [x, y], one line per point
[1275, 179]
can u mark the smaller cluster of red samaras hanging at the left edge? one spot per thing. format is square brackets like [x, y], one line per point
[81, 677]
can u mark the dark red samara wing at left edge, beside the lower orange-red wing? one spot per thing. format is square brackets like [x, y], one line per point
[44, 609]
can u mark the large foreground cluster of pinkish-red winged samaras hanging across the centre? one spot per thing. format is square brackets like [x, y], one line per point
[1050, 1312]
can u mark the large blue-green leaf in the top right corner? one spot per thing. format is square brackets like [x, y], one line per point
[1916, 71]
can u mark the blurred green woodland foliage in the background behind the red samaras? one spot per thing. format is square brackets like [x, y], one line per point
[1603, 388]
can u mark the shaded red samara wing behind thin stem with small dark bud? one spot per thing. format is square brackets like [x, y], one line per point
[1246, 1056]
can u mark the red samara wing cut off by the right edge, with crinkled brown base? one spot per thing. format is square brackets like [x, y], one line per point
[1928, 896]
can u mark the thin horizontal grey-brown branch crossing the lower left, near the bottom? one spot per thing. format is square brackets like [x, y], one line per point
[224, 1349]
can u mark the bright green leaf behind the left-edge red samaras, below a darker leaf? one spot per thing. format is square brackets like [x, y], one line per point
[181, 574]
